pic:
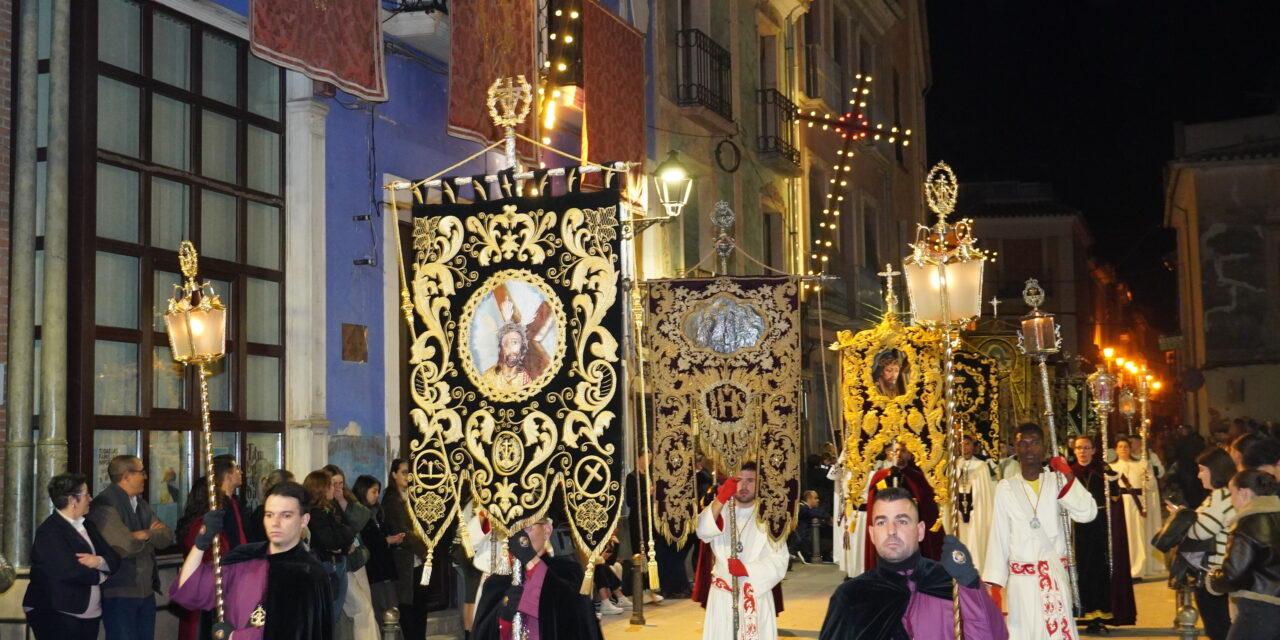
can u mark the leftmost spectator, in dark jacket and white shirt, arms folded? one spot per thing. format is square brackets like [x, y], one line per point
[70, 561]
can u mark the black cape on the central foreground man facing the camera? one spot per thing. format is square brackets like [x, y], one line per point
[871, 606]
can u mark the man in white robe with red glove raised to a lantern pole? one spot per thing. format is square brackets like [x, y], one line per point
[1027, 551]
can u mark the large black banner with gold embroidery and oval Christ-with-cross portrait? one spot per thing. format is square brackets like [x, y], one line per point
[515, 363]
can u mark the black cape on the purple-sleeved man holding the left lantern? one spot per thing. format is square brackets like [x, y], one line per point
[299, 598]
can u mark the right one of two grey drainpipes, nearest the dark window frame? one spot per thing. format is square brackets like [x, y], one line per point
[53, 330]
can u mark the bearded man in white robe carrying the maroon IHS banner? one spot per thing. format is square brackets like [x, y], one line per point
[761, 564]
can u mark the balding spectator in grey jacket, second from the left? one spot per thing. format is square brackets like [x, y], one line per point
[134, 531]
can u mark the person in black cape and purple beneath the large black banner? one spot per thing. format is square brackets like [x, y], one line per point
[547, 600]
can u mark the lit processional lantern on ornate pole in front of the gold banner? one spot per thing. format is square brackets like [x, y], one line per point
[944, 281]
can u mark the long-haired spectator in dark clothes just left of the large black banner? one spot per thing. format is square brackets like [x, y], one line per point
[408, 555]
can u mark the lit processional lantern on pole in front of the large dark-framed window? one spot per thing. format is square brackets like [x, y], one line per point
[196, 321]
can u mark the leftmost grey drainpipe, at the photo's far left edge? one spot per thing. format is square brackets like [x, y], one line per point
[22, 301]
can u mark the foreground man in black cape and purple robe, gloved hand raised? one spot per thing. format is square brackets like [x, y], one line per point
[908, 596]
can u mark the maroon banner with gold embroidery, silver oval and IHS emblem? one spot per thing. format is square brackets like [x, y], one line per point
[725, 376]
